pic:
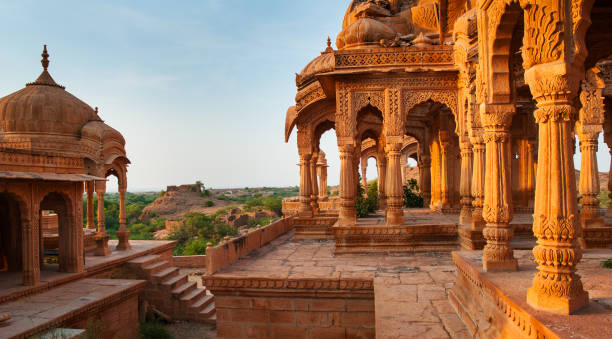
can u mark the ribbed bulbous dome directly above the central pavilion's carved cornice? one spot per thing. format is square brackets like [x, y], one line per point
[364, 33]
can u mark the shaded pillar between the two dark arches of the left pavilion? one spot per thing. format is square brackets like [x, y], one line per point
[30, 251]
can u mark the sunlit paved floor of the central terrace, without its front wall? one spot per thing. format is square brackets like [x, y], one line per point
[410, 290]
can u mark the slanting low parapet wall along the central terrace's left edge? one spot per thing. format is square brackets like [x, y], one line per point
[227, 253]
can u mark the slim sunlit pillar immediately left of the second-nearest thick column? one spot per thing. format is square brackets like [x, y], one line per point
[478, 179]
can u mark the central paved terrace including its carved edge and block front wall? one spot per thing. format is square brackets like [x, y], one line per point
[300, 289]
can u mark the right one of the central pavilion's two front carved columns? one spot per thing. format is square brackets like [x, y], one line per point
[394, 191]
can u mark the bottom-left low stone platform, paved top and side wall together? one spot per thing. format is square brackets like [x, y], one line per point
[113, 304]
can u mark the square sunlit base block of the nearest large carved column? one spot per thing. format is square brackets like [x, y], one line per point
[557, 305]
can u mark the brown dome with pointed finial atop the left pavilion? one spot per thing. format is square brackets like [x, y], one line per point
[44, 107]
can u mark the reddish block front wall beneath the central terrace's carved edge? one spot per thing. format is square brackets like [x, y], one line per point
[294, 317]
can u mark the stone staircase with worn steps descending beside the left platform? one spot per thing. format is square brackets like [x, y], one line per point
[171, 293]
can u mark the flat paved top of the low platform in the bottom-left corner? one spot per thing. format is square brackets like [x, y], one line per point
[44, 309]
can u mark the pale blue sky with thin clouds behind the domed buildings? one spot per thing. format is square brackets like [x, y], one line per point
[198, 88]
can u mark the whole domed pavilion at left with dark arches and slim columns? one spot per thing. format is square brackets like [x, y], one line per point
[53, 147]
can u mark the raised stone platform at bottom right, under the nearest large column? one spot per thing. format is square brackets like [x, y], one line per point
[494, 305]
